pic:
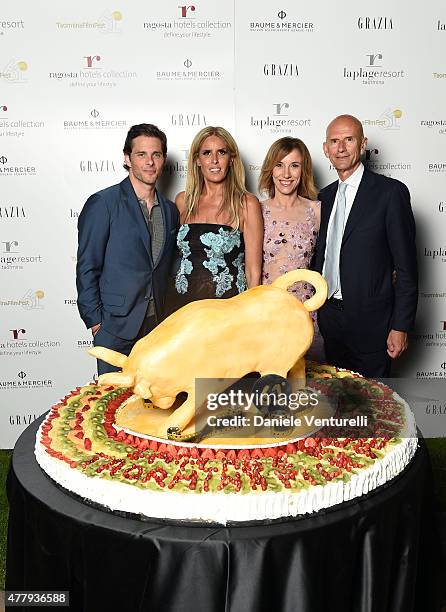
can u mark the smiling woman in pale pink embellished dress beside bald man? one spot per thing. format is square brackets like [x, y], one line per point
[291, 217]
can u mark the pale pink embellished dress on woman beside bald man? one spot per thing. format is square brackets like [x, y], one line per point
[289, 244]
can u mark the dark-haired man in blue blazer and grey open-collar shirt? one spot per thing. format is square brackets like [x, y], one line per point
[127, 237]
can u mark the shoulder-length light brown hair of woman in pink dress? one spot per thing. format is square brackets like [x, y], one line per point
[277, 151]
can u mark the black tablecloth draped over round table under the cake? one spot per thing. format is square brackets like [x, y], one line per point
[370, 555]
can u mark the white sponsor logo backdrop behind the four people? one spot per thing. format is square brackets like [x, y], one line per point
[75, 76]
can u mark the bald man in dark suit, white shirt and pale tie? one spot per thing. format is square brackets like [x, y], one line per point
[366, 251]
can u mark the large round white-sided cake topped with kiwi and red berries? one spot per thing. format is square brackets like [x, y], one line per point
[79, 446]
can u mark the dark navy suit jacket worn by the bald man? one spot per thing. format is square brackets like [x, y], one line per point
[379, 238]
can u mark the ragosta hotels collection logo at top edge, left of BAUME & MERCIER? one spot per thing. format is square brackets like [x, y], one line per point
[187, 22]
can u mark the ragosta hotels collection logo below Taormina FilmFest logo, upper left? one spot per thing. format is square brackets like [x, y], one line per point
[93, 71]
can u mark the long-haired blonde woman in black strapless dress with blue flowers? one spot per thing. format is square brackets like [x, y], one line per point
[221, 233]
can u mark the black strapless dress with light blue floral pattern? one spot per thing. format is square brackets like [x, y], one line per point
[212, 264]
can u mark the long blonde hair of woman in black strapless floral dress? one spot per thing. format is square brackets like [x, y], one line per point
[234, 190]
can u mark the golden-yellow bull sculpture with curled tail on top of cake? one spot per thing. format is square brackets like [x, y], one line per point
[264, 329]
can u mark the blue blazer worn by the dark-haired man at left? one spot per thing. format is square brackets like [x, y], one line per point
[115, 273]
